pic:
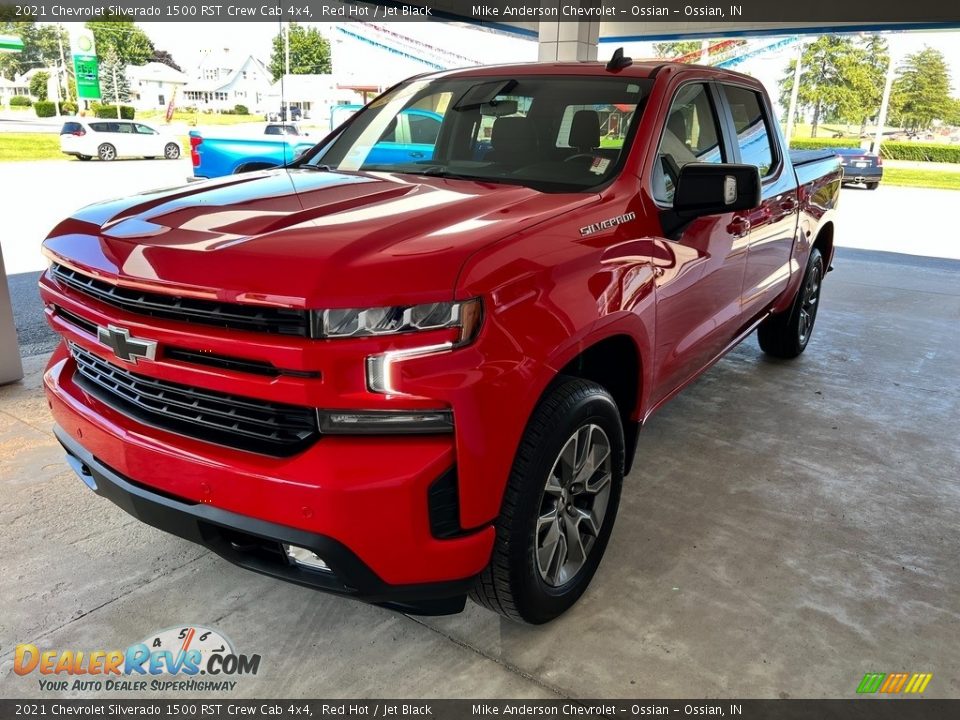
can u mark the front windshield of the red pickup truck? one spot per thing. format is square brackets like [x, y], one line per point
[558, 133]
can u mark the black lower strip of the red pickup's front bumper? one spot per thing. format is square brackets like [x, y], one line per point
[256, 545]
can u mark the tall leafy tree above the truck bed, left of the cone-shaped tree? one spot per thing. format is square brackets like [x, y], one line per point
[832, 81]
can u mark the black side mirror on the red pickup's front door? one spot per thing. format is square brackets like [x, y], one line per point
[712, 189]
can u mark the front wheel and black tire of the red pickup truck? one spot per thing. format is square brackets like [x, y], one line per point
[515, 584]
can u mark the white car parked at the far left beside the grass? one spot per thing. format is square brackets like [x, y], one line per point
[110, 139]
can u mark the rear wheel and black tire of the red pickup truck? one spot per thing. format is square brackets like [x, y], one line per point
[786, 334]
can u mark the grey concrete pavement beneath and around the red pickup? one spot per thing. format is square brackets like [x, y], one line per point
[789, 526]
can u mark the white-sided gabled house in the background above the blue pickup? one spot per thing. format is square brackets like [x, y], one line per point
[224, 79]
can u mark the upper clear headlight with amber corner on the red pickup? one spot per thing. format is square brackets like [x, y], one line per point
[367, 322]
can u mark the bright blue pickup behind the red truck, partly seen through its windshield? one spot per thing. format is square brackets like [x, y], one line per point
[410, 138]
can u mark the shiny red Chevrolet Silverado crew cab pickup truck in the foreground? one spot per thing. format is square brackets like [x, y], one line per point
[413, 381]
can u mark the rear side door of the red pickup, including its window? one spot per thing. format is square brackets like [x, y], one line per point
[771, 227]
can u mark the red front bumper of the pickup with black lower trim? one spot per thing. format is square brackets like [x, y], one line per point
[364, 501]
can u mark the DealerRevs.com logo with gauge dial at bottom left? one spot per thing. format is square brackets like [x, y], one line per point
[178, 659]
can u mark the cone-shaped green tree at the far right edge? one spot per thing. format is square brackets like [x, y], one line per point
[921, 91]
